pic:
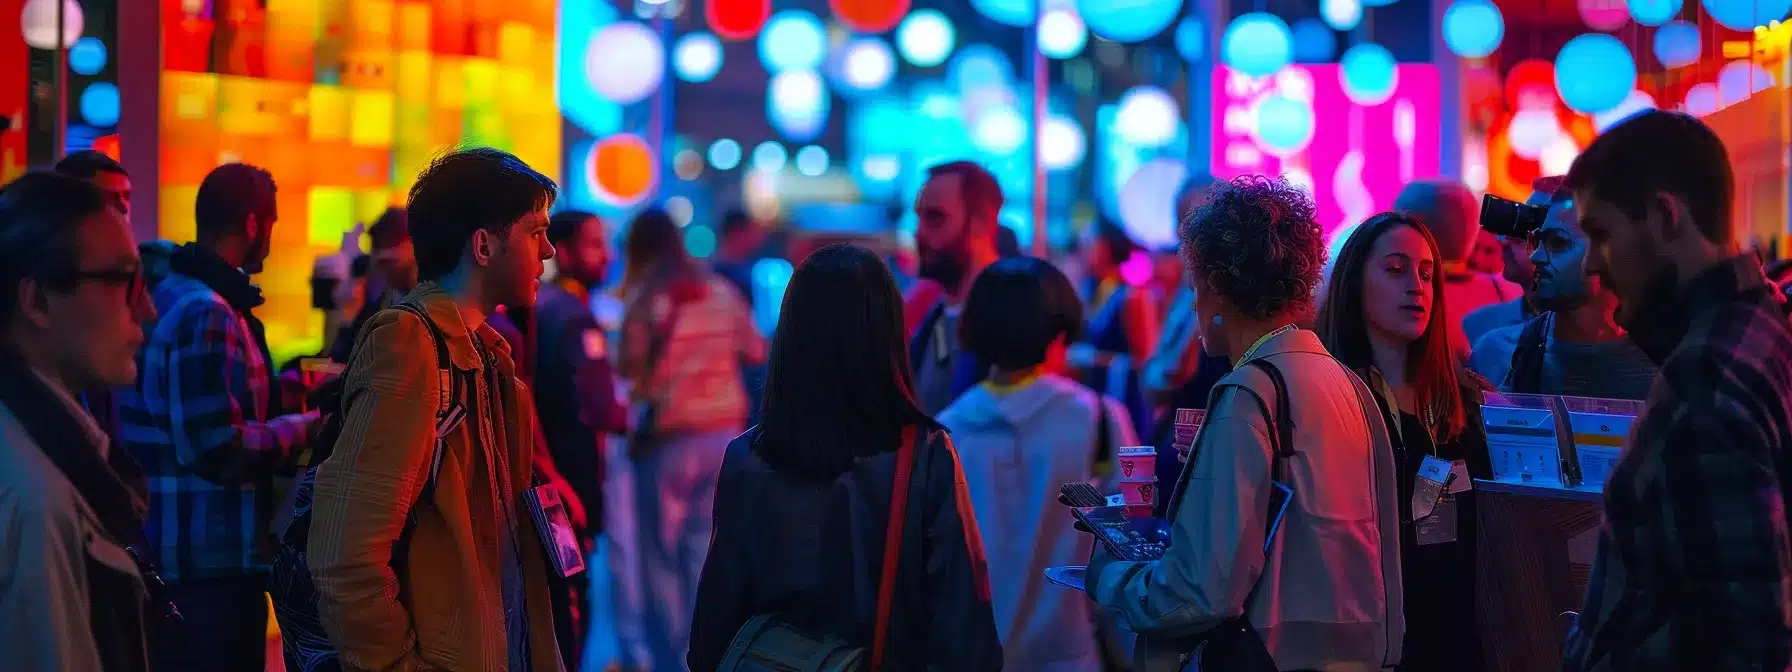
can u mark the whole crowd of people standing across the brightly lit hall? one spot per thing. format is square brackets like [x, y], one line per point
[881, 478]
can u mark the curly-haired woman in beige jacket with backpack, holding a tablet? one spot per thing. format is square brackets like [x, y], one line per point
[1320, 590]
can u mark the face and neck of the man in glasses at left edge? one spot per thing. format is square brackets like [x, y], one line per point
[98, 323]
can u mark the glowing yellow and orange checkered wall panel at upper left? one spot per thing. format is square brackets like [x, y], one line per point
[345, 103]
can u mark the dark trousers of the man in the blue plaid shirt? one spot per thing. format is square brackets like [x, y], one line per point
[223, 626]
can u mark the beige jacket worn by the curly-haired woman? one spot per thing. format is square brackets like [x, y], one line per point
[1329, 590]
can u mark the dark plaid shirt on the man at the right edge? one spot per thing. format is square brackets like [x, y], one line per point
[1694, 556]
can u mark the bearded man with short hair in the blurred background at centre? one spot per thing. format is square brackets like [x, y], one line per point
[956, 239]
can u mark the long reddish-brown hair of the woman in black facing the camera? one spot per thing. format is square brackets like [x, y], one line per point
[1345, 327]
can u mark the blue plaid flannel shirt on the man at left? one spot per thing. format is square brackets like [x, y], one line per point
[198, 422]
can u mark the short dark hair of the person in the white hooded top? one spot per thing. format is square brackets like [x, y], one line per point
[1017, 309]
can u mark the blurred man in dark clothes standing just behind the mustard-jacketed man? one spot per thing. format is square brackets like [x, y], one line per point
[574, 383]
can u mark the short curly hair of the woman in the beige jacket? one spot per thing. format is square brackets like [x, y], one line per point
[1255, 245]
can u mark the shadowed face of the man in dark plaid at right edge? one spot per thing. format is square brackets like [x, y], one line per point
[1630, 255]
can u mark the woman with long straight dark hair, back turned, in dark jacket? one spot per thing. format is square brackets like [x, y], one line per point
[804, 501]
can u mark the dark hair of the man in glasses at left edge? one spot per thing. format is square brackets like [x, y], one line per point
[40, 216]
